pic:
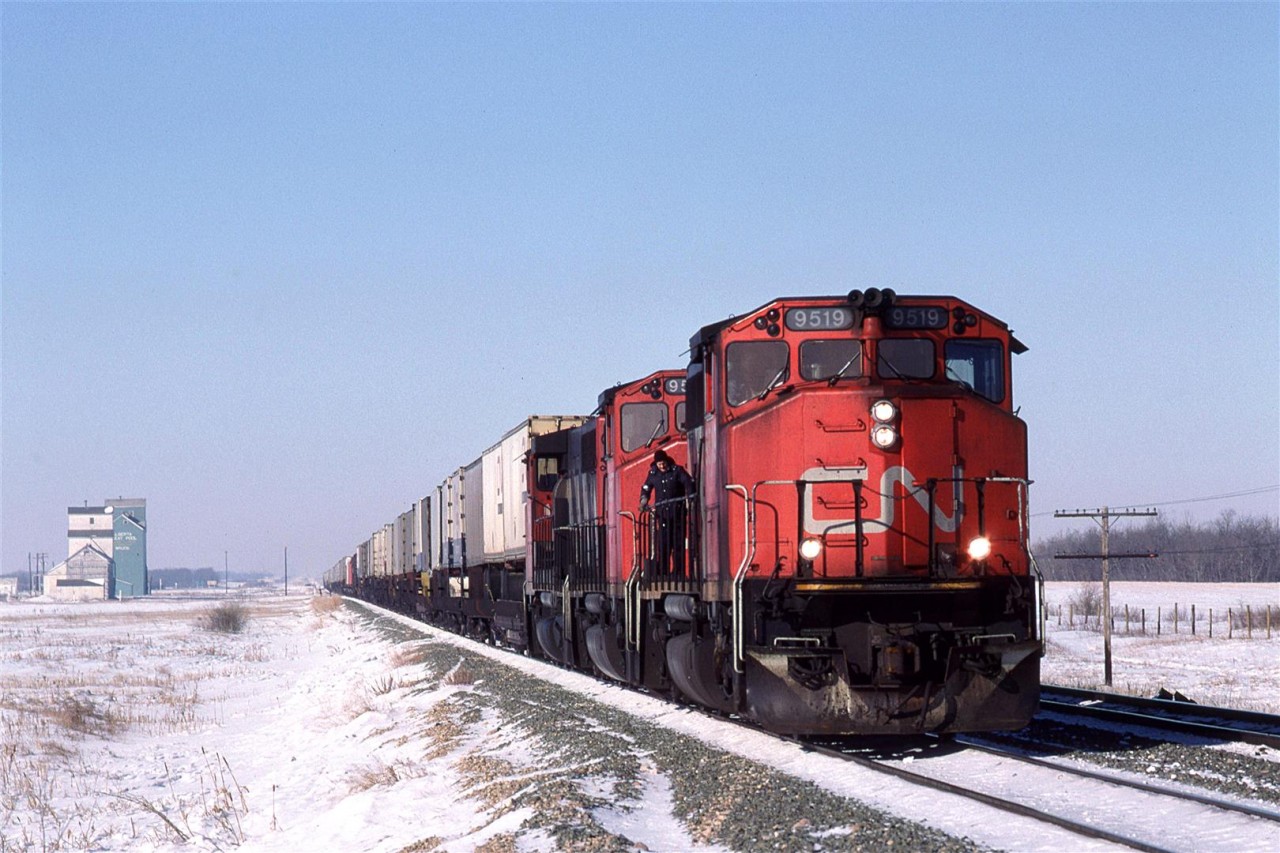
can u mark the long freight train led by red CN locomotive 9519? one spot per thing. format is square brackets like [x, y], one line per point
[852, 559]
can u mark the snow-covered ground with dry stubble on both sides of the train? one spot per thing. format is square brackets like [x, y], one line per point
[132, 727]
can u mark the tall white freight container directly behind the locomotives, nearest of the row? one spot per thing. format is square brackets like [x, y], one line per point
[506, 494]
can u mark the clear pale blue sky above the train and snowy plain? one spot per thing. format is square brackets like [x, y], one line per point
[280, 268]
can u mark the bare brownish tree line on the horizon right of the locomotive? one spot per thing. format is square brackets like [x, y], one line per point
[1228, 550]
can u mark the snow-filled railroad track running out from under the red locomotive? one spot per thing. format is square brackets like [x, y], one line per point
[1089, 802]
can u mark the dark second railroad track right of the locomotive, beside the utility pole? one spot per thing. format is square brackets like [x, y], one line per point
[1165, 715]
